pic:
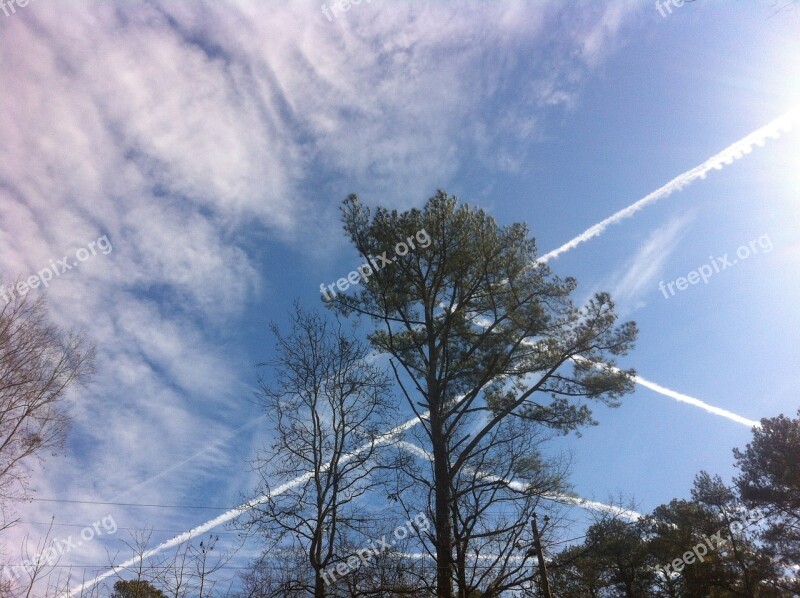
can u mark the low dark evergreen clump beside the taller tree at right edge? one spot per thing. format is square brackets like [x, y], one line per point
[707, 546]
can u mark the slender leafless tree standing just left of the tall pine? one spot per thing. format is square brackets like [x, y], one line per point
[329, 406]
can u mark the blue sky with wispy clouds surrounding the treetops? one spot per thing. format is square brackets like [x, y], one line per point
[202, 151]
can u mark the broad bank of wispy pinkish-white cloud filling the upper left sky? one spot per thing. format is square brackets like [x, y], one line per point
[180, 129]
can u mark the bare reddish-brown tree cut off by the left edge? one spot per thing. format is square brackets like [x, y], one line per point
[38, 362]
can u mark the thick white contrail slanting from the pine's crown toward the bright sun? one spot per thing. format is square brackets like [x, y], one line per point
[731, 153]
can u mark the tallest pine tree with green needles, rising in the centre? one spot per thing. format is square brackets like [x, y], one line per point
[479, 333]
